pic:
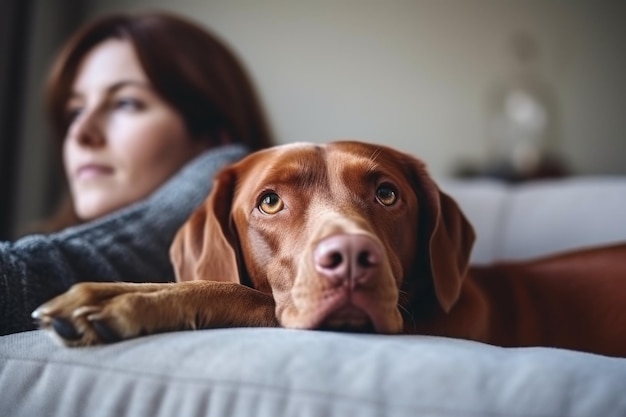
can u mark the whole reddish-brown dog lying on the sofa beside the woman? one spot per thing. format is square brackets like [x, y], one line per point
[350, 236]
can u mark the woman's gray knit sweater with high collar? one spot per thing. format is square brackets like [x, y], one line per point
[129, 245]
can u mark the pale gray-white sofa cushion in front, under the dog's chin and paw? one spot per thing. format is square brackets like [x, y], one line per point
[278, 372]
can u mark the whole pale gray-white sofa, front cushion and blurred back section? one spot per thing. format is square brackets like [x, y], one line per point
[280, 372]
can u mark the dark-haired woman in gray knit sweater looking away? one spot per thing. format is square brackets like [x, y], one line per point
[132, 100]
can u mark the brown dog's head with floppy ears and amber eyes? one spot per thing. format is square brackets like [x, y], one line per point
[336, 233]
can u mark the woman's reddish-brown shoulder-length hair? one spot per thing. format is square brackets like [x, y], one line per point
[189, 67]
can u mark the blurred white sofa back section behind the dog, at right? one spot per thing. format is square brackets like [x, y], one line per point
[543, 217]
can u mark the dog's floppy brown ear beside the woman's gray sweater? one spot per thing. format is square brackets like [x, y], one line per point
[204, 247]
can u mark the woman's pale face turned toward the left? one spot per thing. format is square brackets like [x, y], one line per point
[124, 140]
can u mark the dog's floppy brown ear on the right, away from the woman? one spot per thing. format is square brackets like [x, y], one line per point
[445, 238]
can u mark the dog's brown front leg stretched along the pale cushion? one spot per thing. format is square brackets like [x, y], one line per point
[94, 313]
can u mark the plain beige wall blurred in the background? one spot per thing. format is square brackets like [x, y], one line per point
[415, 74]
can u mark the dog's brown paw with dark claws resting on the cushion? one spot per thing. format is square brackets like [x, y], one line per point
[92, 313]
